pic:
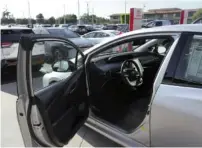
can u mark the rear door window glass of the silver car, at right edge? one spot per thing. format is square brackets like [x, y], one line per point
[190, 67]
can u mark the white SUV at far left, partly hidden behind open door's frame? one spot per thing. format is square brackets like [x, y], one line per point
[10, 37]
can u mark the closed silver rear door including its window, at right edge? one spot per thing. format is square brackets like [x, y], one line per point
[176, 110]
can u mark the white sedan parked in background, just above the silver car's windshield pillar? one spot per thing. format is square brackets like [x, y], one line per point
[101, 35]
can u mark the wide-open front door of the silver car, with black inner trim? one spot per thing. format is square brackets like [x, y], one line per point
[52, 115]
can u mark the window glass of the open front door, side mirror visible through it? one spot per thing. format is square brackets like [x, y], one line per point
[53, 61]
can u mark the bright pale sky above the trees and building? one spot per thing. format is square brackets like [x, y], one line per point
[102, 8]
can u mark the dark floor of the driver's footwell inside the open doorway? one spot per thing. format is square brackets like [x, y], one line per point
[125, 117]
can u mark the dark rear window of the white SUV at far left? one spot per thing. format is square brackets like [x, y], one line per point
[12, 35]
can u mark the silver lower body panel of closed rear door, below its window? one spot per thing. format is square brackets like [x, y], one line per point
[176, 116]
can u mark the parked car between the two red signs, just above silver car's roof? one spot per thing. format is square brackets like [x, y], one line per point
[157, 23]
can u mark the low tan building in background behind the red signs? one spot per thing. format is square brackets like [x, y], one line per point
[172, 14]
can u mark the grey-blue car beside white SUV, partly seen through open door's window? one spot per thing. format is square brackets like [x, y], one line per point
[54, 51]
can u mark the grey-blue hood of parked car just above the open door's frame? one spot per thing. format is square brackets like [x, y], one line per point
[82, 43]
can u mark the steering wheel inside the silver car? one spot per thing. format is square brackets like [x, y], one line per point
[131, 73]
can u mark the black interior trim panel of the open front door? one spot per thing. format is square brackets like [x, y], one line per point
[63, 104]
